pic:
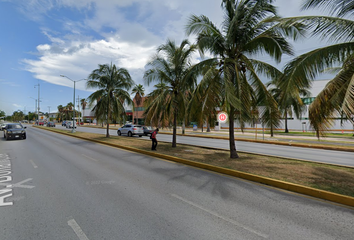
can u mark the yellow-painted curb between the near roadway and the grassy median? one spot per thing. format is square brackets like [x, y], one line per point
[321, 194]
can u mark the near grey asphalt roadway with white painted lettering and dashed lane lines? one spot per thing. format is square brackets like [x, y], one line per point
[56, 187]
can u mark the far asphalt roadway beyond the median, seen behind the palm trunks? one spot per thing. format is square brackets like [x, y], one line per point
[309, 154]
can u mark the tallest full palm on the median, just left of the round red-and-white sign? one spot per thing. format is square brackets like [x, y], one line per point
[250, 27]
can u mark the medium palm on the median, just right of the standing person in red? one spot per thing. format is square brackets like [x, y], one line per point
[171, 66]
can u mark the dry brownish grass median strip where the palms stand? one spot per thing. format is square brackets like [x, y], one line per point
[320, 176]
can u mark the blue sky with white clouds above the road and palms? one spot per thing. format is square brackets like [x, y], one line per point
[43, 39]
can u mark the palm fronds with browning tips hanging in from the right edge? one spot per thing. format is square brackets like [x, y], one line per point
[338, 95]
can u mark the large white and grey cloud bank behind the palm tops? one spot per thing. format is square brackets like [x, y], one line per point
[124, 32]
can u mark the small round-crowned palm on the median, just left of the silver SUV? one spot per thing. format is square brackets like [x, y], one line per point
[113, 85]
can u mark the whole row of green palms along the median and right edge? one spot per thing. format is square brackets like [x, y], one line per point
[229, 75]
